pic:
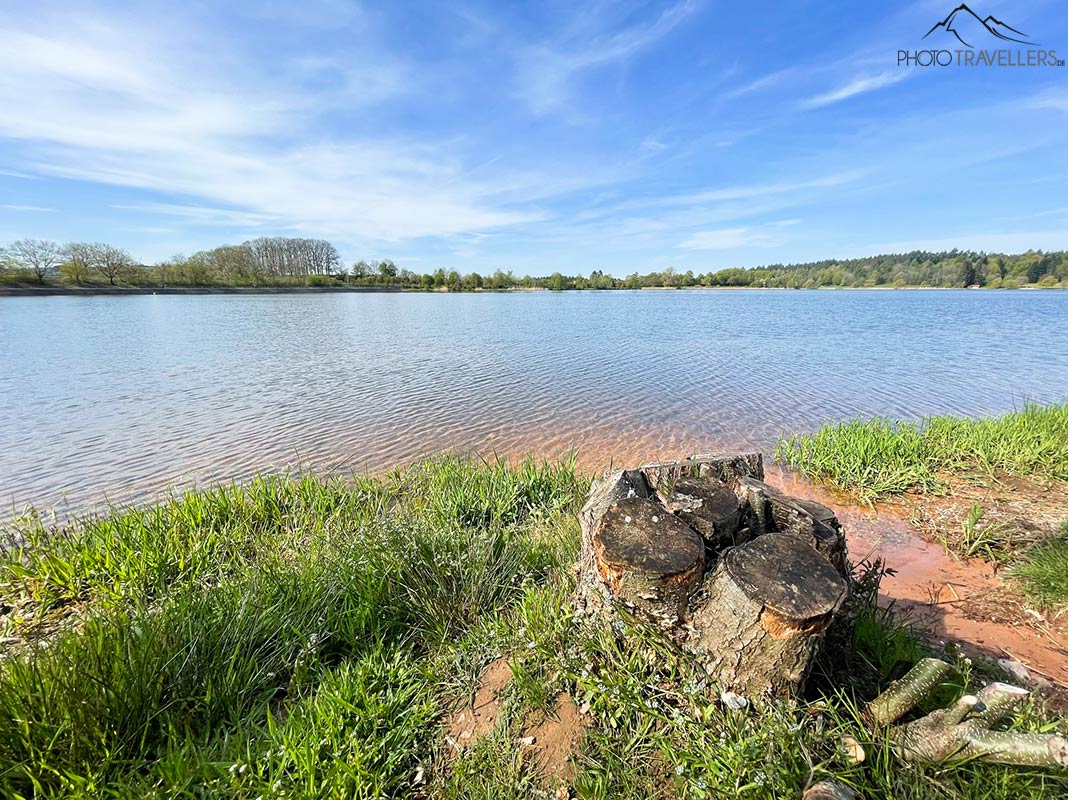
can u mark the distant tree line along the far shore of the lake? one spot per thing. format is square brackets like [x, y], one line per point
[287, 262]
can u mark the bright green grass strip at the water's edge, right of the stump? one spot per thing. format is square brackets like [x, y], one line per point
[878, 458]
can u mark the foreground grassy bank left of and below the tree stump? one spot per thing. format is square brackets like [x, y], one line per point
[308, 638]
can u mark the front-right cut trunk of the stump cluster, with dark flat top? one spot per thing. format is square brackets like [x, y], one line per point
[762, 614]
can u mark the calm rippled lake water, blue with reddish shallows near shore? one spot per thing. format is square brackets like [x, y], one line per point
[120, 398]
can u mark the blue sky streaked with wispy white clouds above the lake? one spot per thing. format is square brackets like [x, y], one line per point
[622, 137]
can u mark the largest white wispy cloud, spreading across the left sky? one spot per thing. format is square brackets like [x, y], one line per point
[119, 104]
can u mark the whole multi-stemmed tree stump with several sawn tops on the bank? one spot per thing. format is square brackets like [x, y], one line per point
[732, 569]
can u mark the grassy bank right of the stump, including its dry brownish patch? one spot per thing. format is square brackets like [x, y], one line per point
[877, 459]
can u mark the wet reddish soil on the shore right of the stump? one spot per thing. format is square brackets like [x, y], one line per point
[959, 601]
